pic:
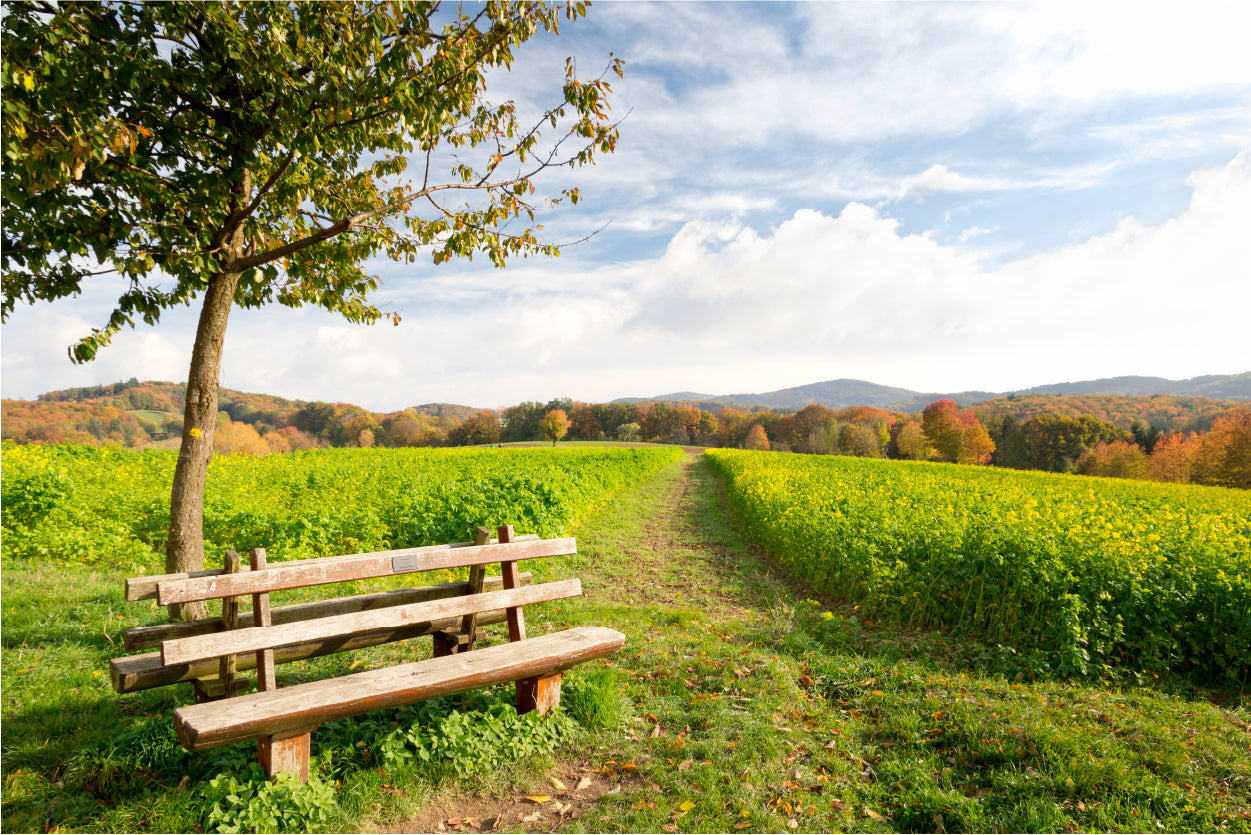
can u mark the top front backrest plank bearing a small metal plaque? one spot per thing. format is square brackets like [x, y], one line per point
[362, 566]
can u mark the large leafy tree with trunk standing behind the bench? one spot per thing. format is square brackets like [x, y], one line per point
[250, 153]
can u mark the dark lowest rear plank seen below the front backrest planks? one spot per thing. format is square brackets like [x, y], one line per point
[137, 673]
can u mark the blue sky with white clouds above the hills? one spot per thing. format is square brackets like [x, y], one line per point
[931, 196]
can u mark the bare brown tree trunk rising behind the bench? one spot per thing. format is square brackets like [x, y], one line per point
[185, 548]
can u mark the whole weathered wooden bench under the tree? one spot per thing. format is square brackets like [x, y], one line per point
[213, 653]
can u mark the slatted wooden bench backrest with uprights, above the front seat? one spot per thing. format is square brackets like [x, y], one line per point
[193, 650]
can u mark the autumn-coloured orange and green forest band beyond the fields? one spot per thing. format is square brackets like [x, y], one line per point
[1160, 438]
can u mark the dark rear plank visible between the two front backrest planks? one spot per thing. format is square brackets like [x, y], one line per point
[148, 638]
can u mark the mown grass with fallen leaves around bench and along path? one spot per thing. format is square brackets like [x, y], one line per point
[737, 704]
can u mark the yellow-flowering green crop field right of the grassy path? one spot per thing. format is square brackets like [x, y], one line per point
[1064, 574]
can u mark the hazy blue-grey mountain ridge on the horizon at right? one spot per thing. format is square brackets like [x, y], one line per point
[843, 394]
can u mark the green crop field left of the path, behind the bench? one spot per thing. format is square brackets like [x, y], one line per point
[97, 505]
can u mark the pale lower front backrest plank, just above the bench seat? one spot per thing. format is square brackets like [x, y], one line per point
[202, 647]
